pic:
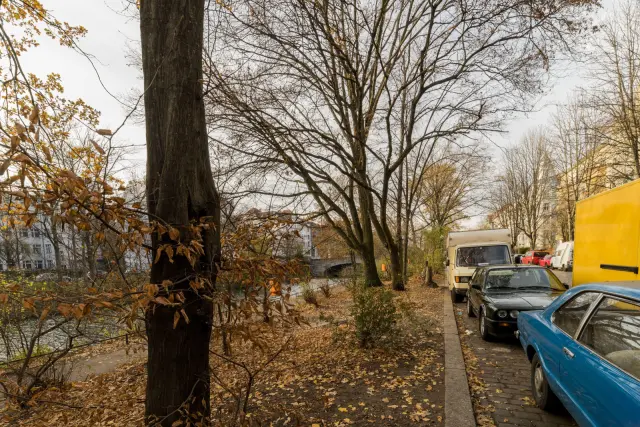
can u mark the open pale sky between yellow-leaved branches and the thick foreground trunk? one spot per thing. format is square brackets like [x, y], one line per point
[111, 34]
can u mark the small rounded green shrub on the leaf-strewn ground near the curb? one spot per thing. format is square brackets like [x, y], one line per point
[374, 314]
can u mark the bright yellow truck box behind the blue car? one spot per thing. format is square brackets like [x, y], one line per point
[607, 236]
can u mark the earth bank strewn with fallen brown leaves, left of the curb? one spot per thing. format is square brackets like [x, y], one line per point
[313, 376]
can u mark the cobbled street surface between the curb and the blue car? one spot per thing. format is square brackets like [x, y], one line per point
[505, 370]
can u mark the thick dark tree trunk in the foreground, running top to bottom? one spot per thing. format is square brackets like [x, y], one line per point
[180, 191]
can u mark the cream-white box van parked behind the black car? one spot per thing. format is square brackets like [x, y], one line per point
[467, 250]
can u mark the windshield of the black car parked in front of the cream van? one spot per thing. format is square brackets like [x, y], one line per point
[522, 278]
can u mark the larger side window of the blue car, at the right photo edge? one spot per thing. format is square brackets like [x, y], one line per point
[613, 332]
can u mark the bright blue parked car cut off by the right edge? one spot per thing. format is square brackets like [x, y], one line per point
[584, 350]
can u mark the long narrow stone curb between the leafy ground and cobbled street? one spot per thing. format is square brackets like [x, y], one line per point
[458, 411]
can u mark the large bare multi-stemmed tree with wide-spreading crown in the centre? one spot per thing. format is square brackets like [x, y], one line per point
[343, 89]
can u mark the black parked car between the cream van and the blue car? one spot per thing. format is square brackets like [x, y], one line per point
[498, 294]
